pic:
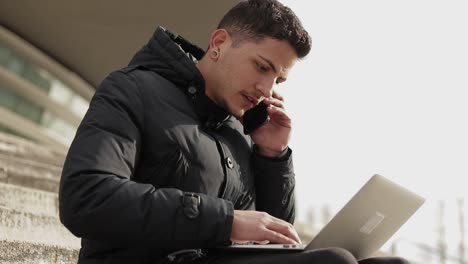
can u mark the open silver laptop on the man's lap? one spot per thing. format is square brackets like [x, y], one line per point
[364, 224]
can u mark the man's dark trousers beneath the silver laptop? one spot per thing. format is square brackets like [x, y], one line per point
[321, 256]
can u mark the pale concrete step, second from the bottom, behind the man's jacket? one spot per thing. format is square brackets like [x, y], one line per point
[17, 225]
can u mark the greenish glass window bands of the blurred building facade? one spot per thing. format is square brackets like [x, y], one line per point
[11, 100]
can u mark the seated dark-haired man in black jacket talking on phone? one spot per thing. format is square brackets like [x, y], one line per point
[160, 169]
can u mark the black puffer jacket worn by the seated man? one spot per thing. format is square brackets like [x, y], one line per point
[156, 166]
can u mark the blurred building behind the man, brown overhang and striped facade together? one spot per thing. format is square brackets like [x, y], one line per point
[52, 61]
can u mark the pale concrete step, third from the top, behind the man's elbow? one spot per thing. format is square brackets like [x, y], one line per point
[28, 200]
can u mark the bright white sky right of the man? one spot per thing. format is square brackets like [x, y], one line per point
[384, 91]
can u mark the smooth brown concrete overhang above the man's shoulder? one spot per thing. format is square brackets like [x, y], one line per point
[93, 38]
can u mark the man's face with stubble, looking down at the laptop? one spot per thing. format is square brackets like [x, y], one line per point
[246, 74]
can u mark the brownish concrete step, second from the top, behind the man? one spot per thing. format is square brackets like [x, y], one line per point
[29, 173]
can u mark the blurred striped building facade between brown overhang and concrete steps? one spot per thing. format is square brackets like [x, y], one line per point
[39, 99]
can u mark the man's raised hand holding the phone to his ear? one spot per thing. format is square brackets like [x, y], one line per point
[273, 137]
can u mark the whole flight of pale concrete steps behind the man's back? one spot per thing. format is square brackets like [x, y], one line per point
[30, 230]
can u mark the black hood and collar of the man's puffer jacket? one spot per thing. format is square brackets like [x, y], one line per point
[174, 58]
